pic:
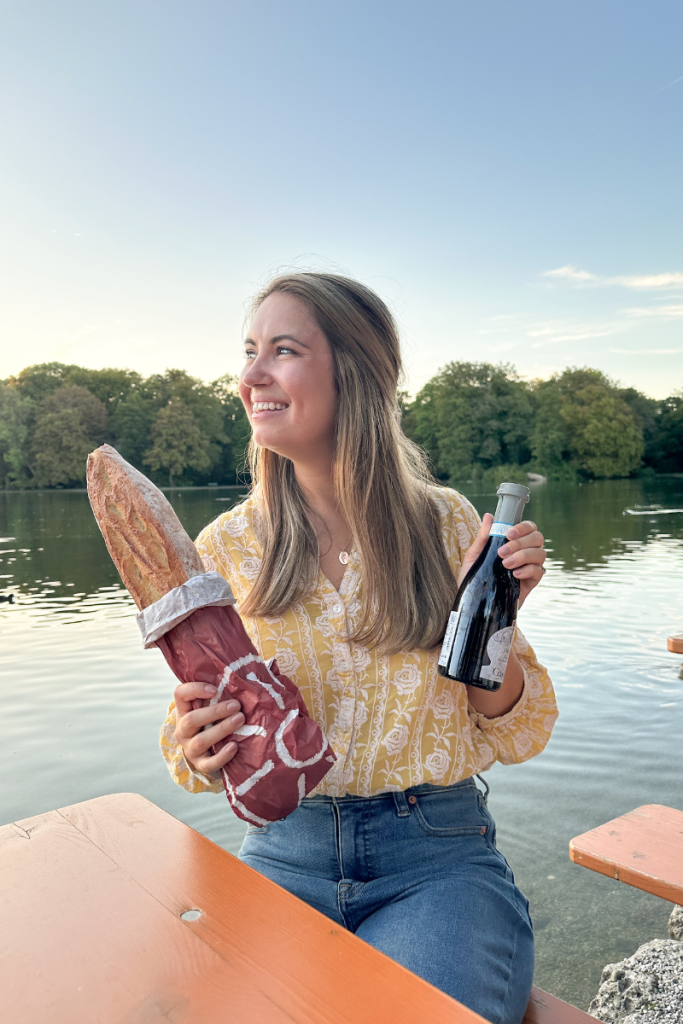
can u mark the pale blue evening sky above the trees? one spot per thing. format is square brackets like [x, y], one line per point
[508, 177]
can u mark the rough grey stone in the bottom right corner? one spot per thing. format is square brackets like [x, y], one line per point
[645, 989]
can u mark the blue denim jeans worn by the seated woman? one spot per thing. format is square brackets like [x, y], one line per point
[417, 875]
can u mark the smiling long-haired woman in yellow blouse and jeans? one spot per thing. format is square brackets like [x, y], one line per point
[345, 561]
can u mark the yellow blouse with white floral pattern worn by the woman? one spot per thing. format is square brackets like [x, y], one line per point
[393, 721]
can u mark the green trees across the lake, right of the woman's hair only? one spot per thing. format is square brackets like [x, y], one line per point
[474, 418]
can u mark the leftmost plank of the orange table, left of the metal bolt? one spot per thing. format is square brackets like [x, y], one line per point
[80, 942]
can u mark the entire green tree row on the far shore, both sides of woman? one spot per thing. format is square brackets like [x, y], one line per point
[473, 418]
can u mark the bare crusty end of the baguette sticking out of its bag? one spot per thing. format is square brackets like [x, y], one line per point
[146, 540]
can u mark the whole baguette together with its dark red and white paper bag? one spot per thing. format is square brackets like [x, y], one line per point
[189, 615]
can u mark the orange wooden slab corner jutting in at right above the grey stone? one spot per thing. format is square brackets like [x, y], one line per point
[644, 848]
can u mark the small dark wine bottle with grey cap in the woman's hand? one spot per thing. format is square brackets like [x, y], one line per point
[481, 628]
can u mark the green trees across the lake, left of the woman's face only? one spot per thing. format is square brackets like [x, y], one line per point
[174, 428]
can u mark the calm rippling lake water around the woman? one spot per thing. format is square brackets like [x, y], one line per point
[81, 703]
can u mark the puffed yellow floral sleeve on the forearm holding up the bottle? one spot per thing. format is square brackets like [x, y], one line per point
[524, 732]
